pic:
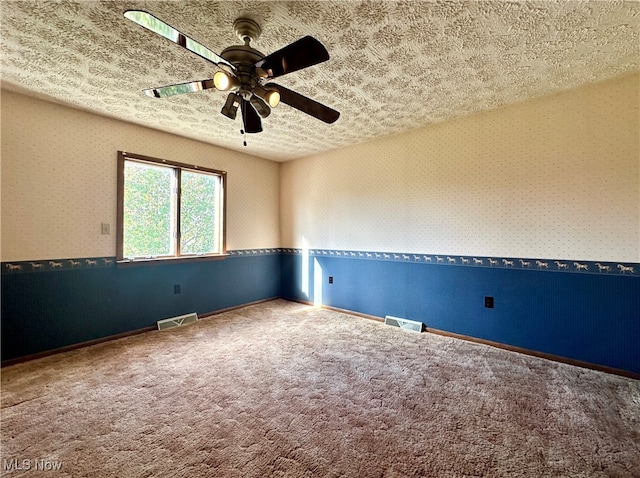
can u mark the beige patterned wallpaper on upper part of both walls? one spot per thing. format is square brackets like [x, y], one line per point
[556, 178]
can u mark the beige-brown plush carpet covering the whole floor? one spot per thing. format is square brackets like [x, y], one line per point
[283, 389]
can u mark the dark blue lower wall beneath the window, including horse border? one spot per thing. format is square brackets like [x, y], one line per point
[47, 305]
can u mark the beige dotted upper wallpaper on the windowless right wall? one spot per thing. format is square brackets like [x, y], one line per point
[551, 178]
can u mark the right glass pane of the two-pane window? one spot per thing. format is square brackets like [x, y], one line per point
[199, 213]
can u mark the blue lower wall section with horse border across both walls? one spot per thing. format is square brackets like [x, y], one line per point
[585, 311]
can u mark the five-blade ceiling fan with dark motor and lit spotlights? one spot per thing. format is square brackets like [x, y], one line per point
[245, 72]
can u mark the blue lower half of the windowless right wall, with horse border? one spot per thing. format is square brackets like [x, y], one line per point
[584, 311]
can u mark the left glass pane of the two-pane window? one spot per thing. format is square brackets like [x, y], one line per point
[148, 210]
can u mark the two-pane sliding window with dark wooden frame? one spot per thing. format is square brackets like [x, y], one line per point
[168, 210]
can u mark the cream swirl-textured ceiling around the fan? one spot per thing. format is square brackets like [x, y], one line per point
[394, 65]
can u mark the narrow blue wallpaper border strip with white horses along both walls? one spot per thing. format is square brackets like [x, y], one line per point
[551, 265]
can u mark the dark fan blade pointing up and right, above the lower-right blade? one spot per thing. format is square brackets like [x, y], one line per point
[298, 55]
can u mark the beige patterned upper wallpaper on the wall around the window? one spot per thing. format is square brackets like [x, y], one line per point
[59, 181]
